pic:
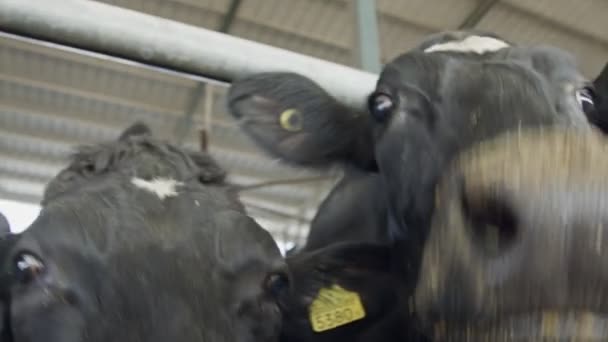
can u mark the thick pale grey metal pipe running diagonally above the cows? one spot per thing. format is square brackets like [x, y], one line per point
[153, 40]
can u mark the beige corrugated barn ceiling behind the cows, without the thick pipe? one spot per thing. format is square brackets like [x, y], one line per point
[52, 99]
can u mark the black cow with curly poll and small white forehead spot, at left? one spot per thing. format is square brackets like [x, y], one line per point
[139, 240]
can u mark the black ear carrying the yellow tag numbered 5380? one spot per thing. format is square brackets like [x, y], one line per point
[314, 309]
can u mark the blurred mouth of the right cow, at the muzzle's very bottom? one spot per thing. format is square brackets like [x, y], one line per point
[537, 326]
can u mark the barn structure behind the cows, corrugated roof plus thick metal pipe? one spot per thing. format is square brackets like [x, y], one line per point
[58, 89]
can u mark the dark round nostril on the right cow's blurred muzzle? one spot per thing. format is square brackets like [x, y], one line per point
[492, 221]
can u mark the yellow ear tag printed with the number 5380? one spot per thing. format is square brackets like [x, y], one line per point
[335, 307]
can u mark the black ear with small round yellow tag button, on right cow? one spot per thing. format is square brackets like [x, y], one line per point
[294, 119]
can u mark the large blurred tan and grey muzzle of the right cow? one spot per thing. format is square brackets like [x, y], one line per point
[518, 243]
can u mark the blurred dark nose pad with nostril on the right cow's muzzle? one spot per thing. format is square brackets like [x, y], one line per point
[553, 238]
